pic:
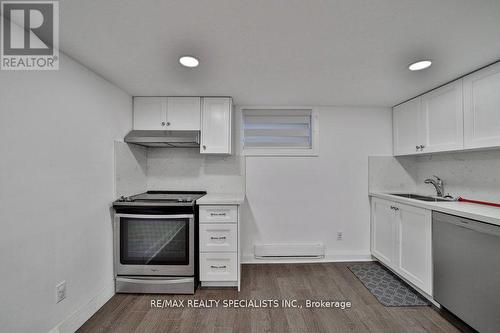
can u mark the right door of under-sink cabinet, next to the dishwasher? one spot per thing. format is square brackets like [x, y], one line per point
[414, 243]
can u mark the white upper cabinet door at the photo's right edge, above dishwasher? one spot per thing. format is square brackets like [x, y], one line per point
[482, 108]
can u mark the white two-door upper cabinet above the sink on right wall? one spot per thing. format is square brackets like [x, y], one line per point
[430, 123]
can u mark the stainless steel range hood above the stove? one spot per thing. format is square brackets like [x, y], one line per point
[164, 139]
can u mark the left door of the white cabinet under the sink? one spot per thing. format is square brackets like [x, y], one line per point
[383, 231]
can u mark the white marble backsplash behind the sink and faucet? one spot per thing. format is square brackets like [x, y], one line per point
[473, 175]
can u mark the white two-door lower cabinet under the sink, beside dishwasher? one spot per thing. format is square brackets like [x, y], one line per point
[401, 238]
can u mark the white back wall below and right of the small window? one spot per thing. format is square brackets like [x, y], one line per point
[309, 199]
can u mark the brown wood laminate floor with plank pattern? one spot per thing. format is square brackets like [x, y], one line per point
[332, 281]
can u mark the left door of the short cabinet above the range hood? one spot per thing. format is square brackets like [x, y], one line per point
[150, 113]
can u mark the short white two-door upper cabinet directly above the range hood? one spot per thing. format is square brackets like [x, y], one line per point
[167, 113]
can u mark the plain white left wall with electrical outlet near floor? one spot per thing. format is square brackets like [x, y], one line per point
[56, 186]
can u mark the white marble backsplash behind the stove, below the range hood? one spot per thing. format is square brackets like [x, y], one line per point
[138, 169]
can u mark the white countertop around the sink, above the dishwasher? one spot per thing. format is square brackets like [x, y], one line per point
[482, 213]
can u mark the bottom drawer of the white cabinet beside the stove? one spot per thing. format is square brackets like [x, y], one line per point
[218, 267]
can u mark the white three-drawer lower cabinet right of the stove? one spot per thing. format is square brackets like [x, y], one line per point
[219, 246]
